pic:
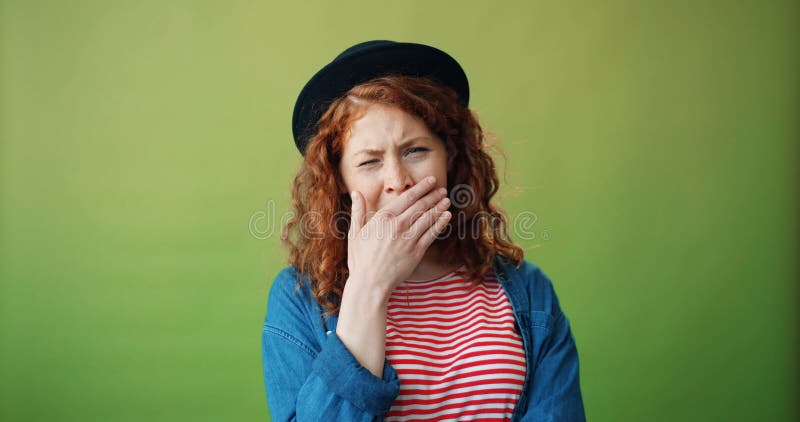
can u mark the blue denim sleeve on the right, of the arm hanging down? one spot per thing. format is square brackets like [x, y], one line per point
[555, 387]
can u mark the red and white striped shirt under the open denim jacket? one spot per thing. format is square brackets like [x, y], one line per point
[455, 350]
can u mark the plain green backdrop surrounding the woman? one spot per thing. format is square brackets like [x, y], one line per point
[652, 161]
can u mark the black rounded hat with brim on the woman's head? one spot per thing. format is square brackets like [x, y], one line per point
[365, 61]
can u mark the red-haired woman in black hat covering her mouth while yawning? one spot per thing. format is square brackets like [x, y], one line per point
[405, 298]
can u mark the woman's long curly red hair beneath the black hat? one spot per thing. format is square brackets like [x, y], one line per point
[478, 229]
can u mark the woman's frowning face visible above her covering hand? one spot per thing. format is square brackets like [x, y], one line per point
[389, 151]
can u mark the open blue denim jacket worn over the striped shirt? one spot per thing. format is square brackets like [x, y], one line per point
[311, 376]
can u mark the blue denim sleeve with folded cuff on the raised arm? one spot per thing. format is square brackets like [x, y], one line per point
[308, 379]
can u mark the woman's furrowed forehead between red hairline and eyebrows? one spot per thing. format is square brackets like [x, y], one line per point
[381, 126]
